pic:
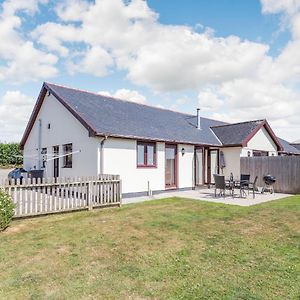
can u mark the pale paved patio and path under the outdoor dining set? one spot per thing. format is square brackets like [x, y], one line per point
[208, 195]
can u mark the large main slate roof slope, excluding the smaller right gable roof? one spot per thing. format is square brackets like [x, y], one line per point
[115, 117]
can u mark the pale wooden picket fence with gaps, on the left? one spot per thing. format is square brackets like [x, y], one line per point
[34, 197]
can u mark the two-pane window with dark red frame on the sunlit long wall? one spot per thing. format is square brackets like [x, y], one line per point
[146, 154]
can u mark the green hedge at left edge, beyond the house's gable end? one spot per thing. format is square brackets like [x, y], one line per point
[10, 154]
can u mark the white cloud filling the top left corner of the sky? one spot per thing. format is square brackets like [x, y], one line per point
[21, 60]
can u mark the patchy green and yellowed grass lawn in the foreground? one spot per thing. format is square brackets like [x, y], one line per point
[166, 249]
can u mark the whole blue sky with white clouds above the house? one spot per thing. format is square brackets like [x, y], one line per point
[236, 60]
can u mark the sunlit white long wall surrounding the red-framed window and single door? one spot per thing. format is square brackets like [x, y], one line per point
[120, 157]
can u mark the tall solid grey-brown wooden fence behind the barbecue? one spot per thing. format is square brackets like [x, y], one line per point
[286, 169]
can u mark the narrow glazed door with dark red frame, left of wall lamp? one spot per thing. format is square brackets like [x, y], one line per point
[171, 166]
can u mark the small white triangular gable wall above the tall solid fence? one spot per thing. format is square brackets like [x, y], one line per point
[261, 141]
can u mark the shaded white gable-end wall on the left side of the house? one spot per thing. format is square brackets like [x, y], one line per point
[65, 128]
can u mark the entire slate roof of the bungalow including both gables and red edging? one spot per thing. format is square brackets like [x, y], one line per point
[107, 116]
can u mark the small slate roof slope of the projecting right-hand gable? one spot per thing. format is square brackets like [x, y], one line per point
[235, 134]
